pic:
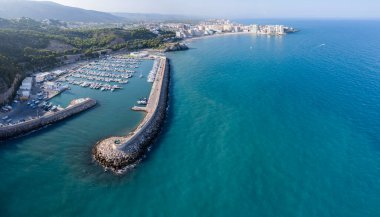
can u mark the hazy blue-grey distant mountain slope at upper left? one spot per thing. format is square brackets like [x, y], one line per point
[40, 10]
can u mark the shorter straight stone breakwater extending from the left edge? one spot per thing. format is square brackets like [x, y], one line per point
[75, 107]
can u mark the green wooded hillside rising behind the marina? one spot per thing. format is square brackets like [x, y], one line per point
[28, 45]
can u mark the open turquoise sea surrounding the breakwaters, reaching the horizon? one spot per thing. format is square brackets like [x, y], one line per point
[288, 127]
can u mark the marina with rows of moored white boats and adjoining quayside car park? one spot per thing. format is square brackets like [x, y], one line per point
[48, 93]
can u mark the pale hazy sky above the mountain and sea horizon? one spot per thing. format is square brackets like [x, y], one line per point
[239, 8]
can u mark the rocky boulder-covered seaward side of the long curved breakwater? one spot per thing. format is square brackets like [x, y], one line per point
[137, 145]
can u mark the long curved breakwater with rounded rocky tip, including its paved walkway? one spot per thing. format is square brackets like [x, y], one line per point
[117, 153]
